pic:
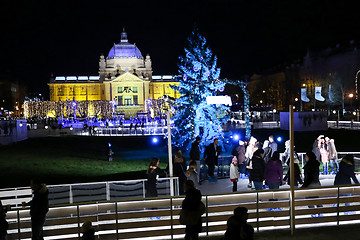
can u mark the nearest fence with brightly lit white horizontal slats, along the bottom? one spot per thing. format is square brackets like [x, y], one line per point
[158, 218]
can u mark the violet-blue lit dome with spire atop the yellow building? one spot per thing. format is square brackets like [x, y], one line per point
[124, 49]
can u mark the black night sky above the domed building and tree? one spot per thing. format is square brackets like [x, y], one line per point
[67, 37]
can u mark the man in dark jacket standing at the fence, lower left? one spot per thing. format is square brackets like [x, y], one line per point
[39, 206]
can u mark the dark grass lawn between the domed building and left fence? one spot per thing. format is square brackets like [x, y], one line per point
[58, 160]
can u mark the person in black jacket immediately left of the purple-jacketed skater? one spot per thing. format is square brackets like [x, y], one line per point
[258, 168]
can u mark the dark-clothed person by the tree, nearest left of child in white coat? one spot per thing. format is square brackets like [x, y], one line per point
[211, 156]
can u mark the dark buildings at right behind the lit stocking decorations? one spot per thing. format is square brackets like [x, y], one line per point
[333, 72]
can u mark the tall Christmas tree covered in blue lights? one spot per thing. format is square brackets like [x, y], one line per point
[200, 79]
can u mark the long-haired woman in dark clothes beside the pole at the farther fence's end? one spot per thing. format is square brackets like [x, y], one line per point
[153, 171]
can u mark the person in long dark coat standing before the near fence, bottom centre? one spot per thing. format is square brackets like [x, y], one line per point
[192, 209]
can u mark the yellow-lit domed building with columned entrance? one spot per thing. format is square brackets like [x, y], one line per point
[125, 78]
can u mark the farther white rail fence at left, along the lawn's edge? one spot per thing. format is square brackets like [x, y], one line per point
[89, 192]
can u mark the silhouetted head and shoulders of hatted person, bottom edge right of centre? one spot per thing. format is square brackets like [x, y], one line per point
[237, 226]
